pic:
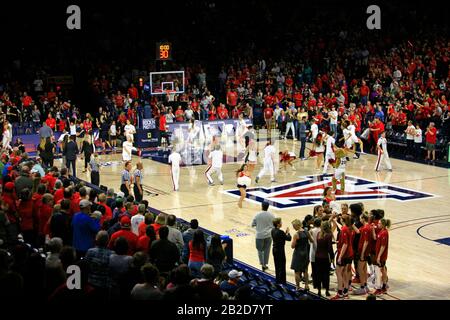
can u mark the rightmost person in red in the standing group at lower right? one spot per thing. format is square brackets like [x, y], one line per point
[381, 253]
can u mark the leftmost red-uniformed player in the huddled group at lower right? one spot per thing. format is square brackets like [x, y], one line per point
[344, 258]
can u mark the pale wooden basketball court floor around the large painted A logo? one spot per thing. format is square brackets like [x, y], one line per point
[418, 265]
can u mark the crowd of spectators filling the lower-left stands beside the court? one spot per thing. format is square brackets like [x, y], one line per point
[50, 223]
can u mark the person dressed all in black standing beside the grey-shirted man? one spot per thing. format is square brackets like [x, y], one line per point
[279, 238]
